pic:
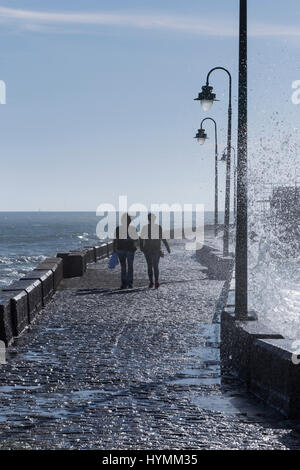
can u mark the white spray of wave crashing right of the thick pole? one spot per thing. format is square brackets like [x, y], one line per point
[274, 247]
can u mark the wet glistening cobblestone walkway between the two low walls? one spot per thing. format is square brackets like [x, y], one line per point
[109, 369]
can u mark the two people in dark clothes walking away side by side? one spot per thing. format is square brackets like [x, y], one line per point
[126, 243]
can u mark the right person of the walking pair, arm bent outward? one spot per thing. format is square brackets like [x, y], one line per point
[150, 243]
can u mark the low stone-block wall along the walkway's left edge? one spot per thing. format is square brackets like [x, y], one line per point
[23, 300]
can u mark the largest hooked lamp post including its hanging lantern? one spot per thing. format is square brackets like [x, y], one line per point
[207, 98]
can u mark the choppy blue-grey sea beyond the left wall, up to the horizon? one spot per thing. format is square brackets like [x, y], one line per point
[27, 238]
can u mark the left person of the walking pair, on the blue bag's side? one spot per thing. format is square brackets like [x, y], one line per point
[125, 242]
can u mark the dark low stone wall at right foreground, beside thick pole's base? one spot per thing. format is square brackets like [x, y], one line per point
[262, 358]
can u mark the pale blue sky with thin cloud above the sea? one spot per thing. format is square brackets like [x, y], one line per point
[100, 98]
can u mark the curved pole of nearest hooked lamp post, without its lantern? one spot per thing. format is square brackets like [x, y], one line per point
[228, 163]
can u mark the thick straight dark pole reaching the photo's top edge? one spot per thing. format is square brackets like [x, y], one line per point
[241, 272]
